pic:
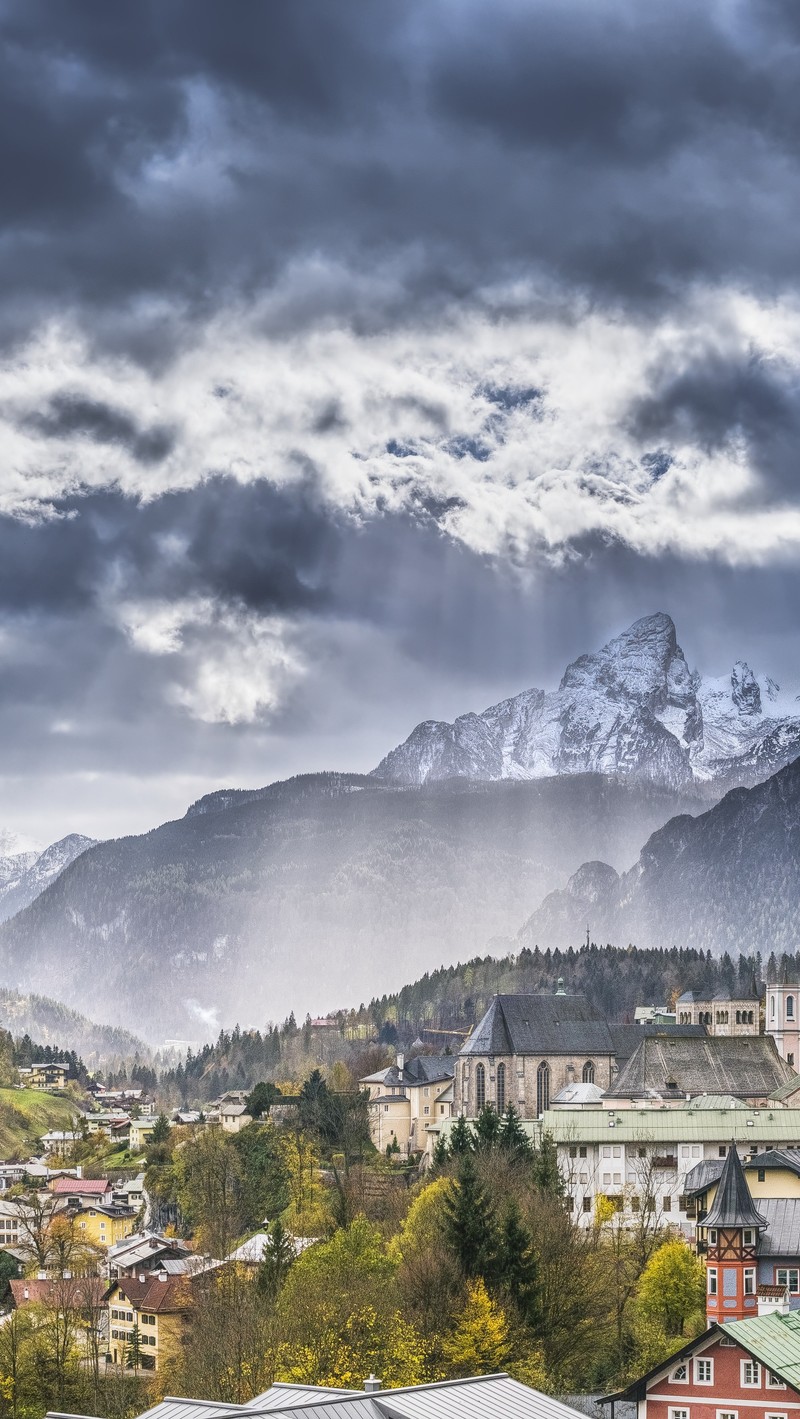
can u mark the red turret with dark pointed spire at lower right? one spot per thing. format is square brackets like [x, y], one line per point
[731, 1230]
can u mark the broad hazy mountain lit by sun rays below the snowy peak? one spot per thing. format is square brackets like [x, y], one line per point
[313, 893]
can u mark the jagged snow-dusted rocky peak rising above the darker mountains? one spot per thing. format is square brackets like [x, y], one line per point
[632, 709]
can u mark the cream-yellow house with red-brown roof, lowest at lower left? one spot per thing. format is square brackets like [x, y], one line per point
[147, 1319]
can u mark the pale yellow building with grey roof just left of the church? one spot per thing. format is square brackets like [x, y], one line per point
[408, 1099]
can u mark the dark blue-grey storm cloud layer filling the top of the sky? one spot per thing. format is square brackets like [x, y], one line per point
[611, 147]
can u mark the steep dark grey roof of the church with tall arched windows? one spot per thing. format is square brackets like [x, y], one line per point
[541, 1025]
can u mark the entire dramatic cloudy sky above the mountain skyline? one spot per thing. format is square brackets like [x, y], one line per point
[365, 363]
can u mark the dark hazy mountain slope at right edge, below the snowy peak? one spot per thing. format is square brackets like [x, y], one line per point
[728, 880]
